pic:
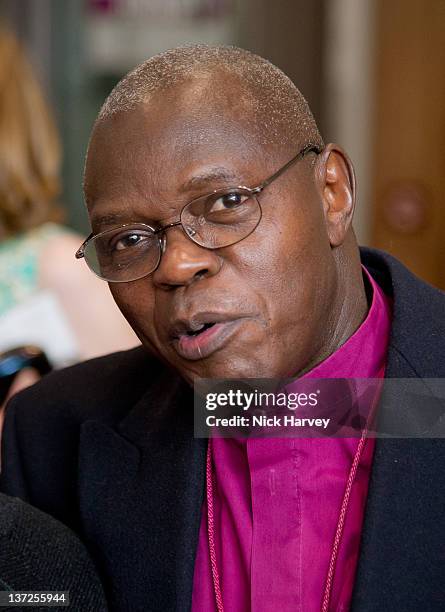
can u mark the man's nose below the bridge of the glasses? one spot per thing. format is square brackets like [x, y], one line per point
[183, 262]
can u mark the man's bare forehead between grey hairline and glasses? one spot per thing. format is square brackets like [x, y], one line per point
[158, 147]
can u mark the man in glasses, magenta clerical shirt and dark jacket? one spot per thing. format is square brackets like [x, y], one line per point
[223, 225]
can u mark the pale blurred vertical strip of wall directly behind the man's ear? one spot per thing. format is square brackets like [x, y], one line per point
[348, 100]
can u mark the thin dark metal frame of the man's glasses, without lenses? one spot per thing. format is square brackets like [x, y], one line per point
[253, 191]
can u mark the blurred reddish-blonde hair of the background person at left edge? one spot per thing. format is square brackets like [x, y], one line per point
[29, 145]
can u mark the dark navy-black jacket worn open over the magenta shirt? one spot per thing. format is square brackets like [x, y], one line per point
[107, 447]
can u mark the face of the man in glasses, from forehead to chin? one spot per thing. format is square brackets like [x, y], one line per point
[266, 301]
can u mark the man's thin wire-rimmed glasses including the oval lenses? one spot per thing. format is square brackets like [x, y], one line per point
[213, 221]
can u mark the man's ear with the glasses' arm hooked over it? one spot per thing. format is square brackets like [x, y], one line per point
[336, 180]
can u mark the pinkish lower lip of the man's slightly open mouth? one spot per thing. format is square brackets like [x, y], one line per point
[206, 343]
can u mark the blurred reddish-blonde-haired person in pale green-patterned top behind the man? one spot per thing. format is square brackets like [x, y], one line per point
[45, 298]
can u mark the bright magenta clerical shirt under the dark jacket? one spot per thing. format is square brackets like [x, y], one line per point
[277, 502]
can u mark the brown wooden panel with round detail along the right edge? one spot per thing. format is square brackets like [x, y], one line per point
[408, 172]
